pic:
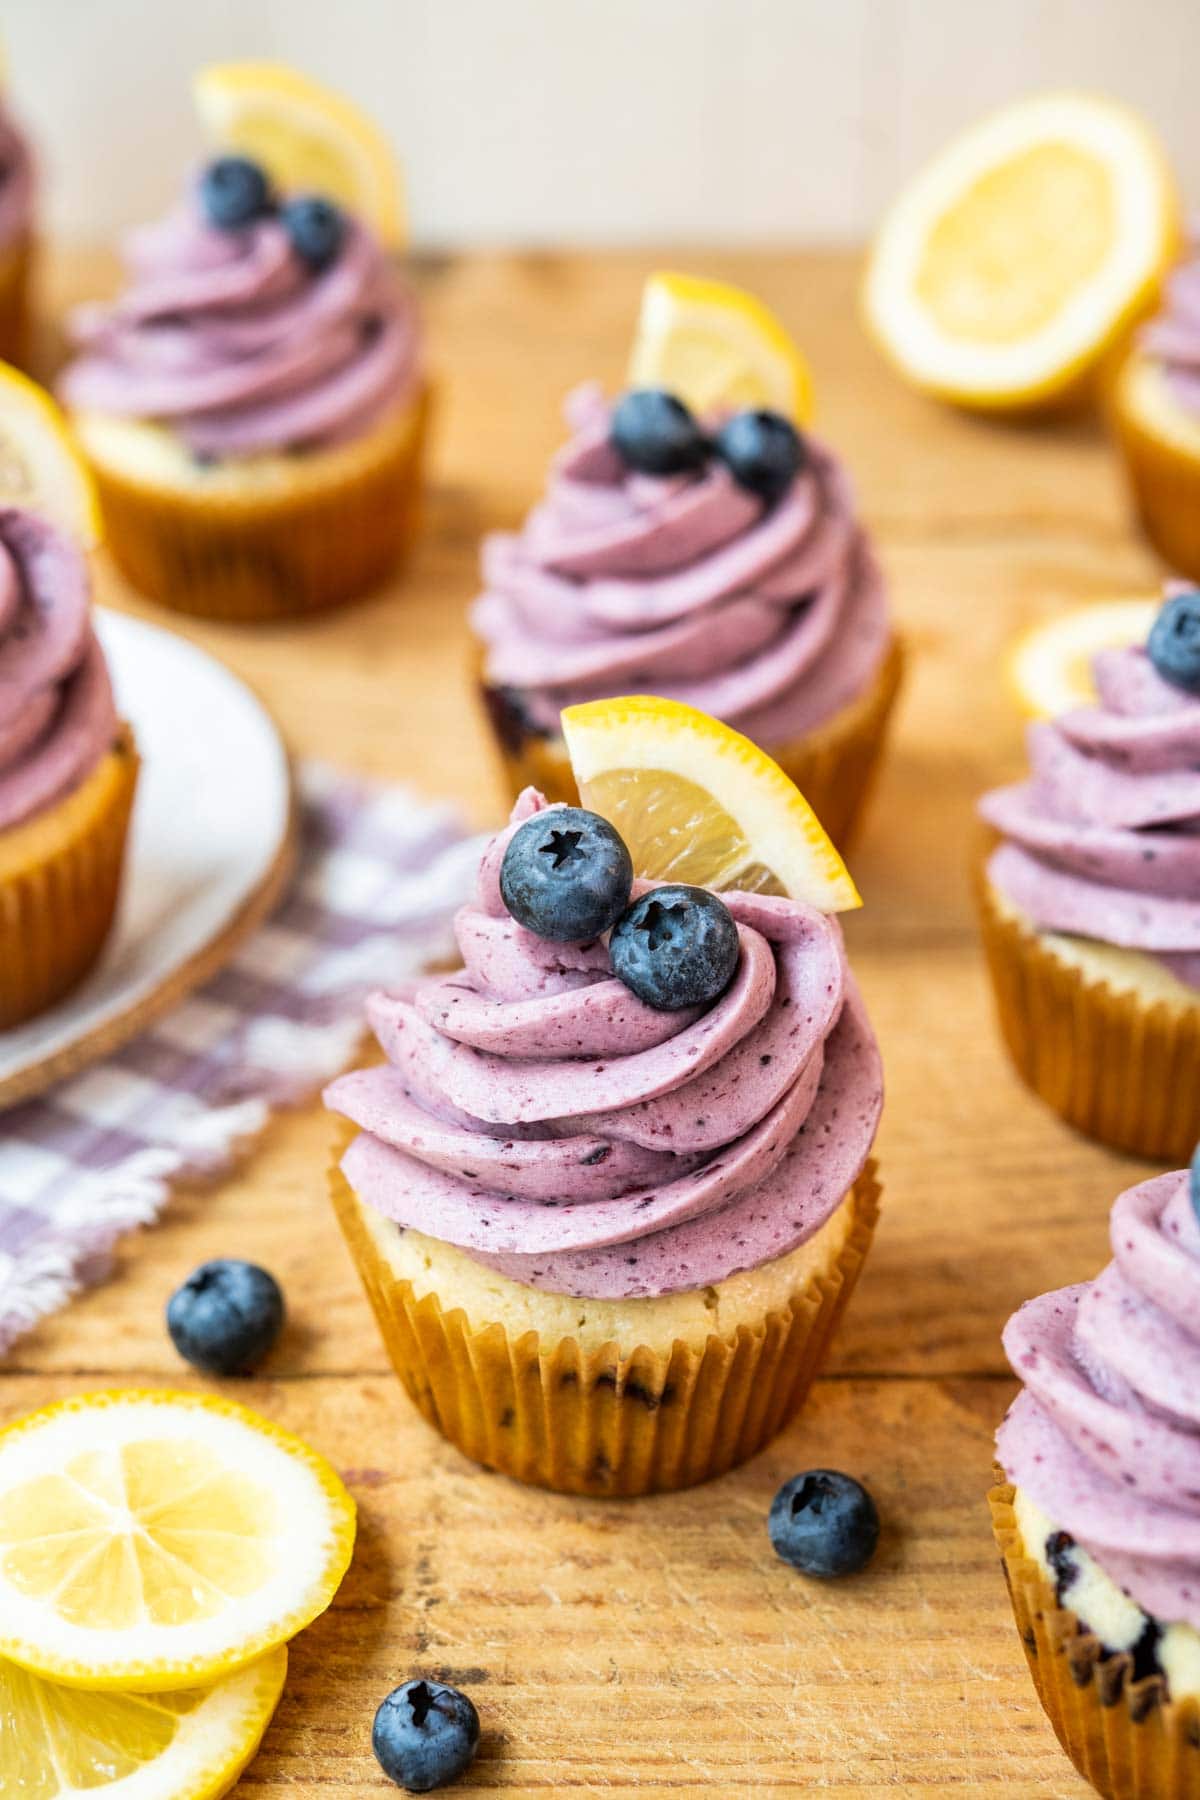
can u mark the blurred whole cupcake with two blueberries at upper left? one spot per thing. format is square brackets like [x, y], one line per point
[255, 402]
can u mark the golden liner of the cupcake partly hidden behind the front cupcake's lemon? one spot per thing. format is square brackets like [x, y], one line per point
[834, 766]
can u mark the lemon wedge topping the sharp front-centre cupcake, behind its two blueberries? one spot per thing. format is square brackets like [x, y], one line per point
[699, 804]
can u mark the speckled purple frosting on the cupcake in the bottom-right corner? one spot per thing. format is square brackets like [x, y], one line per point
[1107, 1432]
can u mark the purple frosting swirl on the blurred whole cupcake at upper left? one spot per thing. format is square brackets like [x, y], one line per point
[240, 346]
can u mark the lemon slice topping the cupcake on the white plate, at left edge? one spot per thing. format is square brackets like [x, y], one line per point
[39, 462]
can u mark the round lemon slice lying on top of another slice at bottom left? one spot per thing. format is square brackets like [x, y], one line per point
[161, 1540]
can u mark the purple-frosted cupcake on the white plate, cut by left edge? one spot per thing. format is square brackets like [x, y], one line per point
[67, 771]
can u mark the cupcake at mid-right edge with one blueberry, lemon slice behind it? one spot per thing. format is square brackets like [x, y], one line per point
[1091, 899]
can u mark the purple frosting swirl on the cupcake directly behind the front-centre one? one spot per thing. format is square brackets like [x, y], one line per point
[685, 586]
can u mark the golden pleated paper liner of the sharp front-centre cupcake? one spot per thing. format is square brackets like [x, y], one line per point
[613, 1421]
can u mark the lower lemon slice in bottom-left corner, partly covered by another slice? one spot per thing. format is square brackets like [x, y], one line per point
[60, 1743]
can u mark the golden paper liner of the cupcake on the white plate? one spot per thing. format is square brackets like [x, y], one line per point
[58, 901]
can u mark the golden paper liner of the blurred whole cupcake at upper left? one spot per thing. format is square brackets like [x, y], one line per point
[273, 557]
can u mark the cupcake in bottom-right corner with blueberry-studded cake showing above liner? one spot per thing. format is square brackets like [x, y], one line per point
[1100, 1516]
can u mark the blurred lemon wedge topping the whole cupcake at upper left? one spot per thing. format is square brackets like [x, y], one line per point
[307, 138]
